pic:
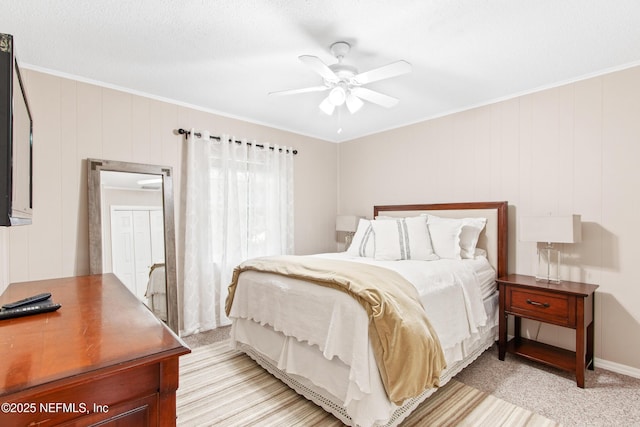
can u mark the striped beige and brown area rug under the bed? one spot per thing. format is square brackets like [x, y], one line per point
[222, 387]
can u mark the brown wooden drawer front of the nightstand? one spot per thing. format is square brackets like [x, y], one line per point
[548, 307]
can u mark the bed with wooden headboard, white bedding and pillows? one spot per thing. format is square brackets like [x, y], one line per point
[319, 339]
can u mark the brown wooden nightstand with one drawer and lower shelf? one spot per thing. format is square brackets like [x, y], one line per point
[568, 304]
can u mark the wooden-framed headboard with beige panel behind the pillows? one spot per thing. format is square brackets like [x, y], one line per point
[494, 237]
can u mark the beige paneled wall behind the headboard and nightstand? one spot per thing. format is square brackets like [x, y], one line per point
[571, 149]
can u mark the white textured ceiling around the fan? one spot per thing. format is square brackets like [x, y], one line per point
[224, 56]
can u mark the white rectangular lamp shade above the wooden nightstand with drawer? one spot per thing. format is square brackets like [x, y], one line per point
[551, 229]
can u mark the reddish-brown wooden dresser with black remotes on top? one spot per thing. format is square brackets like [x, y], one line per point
[102, 358]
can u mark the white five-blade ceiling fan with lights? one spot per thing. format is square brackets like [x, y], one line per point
[345, 84]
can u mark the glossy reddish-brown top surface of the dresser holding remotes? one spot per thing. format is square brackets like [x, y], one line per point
[100, 327]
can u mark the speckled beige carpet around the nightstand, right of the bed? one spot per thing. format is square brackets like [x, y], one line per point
[608, 399]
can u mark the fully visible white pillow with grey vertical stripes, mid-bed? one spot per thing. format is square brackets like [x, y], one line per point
[402, 238]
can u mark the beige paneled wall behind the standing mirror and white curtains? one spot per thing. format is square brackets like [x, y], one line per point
[74, 121]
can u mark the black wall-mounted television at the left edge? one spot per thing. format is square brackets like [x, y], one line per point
[16, 141]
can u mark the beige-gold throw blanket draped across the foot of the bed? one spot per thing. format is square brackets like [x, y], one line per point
[406, 348]
